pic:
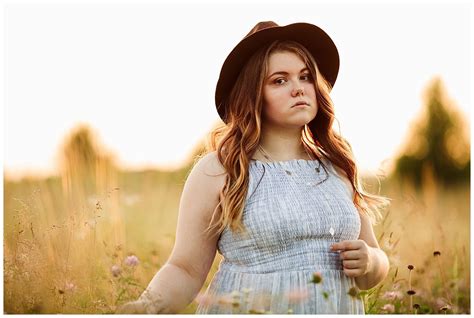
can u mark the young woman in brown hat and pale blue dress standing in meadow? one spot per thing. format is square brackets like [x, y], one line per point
[278, 195]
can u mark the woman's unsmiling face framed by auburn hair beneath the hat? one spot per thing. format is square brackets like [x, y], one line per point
[288, 82]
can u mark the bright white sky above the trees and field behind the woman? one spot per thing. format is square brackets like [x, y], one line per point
[144, 75]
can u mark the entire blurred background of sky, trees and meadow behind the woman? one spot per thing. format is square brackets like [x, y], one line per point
[108, 105]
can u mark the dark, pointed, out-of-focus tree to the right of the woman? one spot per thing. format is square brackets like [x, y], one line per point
[438, 143]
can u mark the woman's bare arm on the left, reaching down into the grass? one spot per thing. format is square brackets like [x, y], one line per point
[179, 281]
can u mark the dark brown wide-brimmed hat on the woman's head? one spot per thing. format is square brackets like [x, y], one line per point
[314, 39]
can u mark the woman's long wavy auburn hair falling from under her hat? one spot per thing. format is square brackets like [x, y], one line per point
[236, 142]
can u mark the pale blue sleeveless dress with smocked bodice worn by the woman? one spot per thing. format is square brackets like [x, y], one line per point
[292, 217]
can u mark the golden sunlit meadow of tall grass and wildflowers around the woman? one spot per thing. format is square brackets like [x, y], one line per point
[71, 248]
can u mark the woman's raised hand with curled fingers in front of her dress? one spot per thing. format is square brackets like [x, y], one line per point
[356, 257]
